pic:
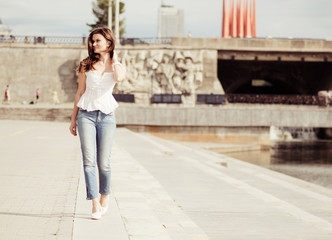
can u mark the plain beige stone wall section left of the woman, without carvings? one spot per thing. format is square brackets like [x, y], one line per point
[26, 68]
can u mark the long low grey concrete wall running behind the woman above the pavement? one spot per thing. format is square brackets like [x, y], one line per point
[232, 115]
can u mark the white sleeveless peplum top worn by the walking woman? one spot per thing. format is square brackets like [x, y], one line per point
[98, 93]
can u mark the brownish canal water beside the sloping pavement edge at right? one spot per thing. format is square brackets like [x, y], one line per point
[307, 160]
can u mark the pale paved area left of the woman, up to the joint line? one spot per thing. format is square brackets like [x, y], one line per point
[39, 175]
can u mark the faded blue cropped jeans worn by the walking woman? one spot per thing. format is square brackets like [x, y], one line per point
[96, 131]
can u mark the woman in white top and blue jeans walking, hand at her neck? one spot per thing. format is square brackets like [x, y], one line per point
[93, 114]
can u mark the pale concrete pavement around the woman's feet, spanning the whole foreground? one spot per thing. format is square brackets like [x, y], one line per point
[160, 190]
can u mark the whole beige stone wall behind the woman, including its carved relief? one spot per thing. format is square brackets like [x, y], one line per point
[150, 70]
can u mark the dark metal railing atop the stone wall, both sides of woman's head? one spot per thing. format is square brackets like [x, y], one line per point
[78, 40]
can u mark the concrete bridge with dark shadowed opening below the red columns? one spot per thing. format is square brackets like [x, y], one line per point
[269, 66]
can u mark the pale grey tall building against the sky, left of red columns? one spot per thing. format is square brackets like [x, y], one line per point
[170, 22]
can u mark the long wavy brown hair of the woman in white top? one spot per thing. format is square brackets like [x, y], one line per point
[87, 63]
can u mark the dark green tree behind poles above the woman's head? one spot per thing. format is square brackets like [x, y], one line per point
[100, 10]
